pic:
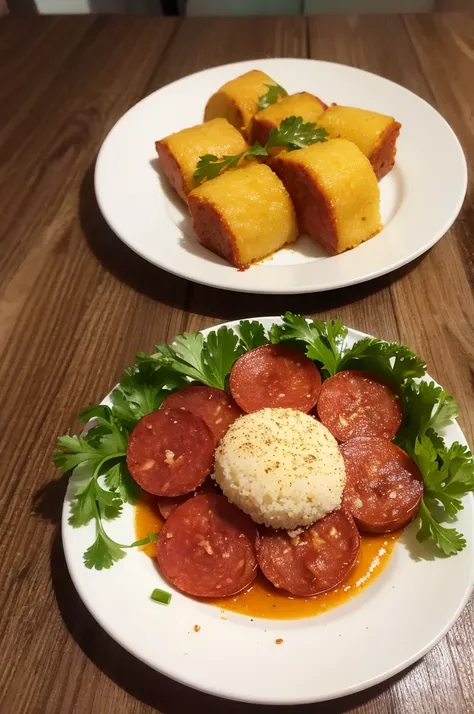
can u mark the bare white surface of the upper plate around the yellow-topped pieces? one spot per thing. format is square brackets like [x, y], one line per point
[420, 197]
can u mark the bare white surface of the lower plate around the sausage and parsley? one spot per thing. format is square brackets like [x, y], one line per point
[391, 624]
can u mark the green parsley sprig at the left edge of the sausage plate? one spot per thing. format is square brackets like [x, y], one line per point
[97, 459]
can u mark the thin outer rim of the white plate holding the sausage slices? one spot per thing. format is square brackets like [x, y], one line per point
[289, 700]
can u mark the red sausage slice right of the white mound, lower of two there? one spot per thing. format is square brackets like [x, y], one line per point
[384, 486]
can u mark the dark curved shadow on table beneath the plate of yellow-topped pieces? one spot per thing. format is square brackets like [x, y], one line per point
[157, 284]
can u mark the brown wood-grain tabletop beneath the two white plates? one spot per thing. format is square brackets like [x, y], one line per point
[76, 305]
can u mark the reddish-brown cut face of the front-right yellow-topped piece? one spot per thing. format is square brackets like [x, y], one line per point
[313, 212]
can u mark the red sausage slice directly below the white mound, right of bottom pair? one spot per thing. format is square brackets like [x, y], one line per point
[316, 561]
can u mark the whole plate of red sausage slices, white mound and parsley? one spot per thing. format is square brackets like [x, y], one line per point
[277, 511]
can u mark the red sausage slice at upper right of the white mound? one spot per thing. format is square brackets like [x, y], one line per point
[355, 403]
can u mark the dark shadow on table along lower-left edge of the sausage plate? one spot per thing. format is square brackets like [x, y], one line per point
[139, 680]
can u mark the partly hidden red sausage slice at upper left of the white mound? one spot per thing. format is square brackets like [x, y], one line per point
[213, 405]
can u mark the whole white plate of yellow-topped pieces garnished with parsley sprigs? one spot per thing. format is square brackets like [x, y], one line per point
[281, 176]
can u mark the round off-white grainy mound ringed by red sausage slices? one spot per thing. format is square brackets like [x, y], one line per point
[282, 467]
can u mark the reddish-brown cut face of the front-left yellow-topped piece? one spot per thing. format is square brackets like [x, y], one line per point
[213, 231]
